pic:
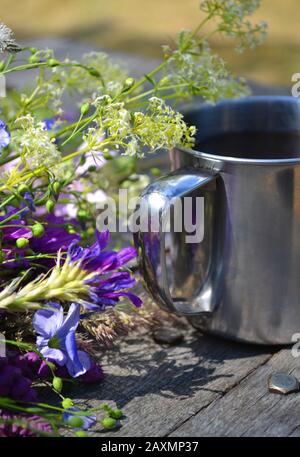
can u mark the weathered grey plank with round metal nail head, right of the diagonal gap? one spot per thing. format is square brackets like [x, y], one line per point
[249, 409]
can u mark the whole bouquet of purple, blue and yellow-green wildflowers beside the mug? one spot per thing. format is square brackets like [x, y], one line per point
[60, 282]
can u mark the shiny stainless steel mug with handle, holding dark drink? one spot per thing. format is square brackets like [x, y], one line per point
[243, 280]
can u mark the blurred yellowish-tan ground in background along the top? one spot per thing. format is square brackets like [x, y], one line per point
[141, 26]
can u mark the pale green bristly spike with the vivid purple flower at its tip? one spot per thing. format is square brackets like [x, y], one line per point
[87, 276]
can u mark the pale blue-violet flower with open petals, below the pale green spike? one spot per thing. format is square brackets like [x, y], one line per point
[56, 340]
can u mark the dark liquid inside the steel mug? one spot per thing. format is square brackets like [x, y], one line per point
[253, 145]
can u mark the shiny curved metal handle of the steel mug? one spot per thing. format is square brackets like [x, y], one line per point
[155, 203]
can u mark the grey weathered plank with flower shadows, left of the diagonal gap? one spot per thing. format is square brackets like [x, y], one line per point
[159, 388]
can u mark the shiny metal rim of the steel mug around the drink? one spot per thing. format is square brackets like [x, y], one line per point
[250, 100]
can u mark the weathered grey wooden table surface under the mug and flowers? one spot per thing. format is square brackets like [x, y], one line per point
[203, 386]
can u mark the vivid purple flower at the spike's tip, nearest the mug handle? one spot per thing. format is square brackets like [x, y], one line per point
[105, 290]
